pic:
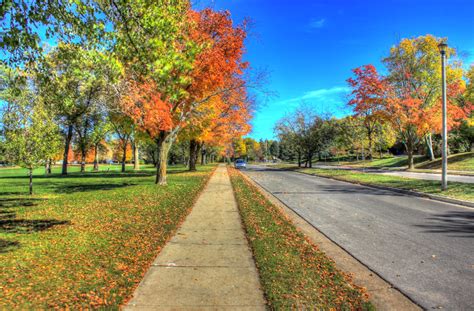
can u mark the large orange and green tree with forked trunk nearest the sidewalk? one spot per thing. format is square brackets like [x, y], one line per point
[206, 50]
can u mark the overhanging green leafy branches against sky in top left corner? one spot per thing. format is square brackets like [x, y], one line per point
[23, 23]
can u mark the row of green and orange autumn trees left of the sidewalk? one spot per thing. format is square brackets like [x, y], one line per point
[147, 74]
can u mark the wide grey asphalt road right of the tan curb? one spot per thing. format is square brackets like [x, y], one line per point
[424, 248]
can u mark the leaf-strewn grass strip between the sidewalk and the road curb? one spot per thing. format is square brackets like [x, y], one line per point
[294, 273]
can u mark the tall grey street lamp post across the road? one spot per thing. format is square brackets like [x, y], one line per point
[444, 178]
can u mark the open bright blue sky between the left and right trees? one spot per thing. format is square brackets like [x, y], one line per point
[308, 47]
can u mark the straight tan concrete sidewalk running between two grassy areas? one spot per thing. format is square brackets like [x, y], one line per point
[208, 263]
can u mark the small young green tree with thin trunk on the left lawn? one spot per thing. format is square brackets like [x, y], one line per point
[31, 136]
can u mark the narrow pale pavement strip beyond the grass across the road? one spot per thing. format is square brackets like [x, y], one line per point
[425, 176]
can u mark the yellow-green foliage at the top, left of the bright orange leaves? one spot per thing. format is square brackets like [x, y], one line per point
[152, 40]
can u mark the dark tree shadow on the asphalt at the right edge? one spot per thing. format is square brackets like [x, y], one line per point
[456, 224]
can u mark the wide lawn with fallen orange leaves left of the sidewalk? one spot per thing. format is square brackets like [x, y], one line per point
[85, 240]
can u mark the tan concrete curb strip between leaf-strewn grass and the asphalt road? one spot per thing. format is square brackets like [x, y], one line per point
[383, 295]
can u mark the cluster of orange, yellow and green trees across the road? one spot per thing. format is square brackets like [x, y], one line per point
[398, 110]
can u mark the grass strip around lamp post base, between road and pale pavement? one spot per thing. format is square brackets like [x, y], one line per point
[462, 191]
